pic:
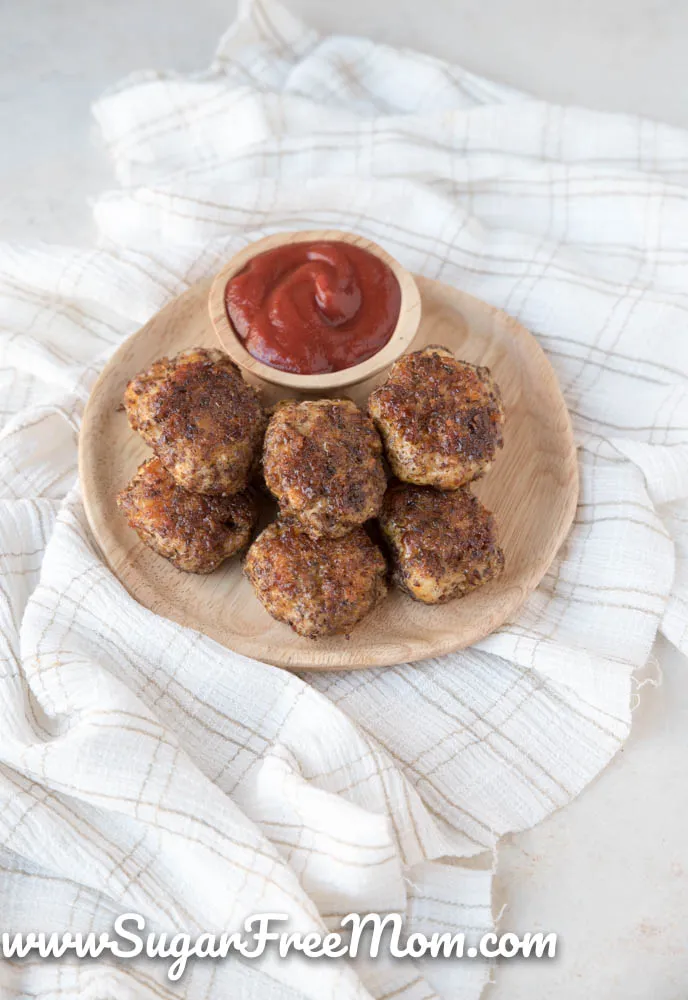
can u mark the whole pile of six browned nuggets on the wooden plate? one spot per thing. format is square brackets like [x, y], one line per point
[316, 568]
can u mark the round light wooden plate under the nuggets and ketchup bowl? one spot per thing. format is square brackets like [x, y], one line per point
[532, 489]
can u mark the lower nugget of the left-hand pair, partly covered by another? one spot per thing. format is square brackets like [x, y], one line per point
[196, 533]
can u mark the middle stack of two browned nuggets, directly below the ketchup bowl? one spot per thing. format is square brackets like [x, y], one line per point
[316, 568]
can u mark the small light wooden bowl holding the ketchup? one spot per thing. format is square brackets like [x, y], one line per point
[400, 341]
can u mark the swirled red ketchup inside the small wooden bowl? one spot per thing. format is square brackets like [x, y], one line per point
[311, 308]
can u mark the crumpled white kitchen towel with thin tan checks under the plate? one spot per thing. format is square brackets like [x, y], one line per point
[143, 767]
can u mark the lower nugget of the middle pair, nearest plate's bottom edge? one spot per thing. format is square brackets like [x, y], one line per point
[318, 586]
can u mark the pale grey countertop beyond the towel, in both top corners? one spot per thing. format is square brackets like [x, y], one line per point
[56, 56]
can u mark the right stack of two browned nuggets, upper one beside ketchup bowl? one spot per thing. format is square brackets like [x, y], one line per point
[441, 420]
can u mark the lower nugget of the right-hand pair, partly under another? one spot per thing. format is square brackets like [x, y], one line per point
[443, 544]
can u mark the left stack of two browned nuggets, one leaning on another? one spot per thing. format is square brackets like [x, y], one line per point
[191, 502]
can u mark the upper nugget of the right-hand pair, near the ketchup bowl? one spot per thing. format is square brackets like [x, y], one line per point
[440, 419]
